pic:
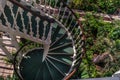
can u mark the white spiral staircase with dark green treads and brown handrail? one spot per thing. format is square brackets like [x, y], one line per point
[53, 43]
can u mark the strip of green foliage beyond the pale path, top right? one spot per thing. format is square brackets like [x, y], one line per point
[108, 6]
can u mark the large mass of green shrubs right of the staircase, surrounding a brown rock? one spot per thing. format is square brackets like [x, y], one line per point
[101, 36]
